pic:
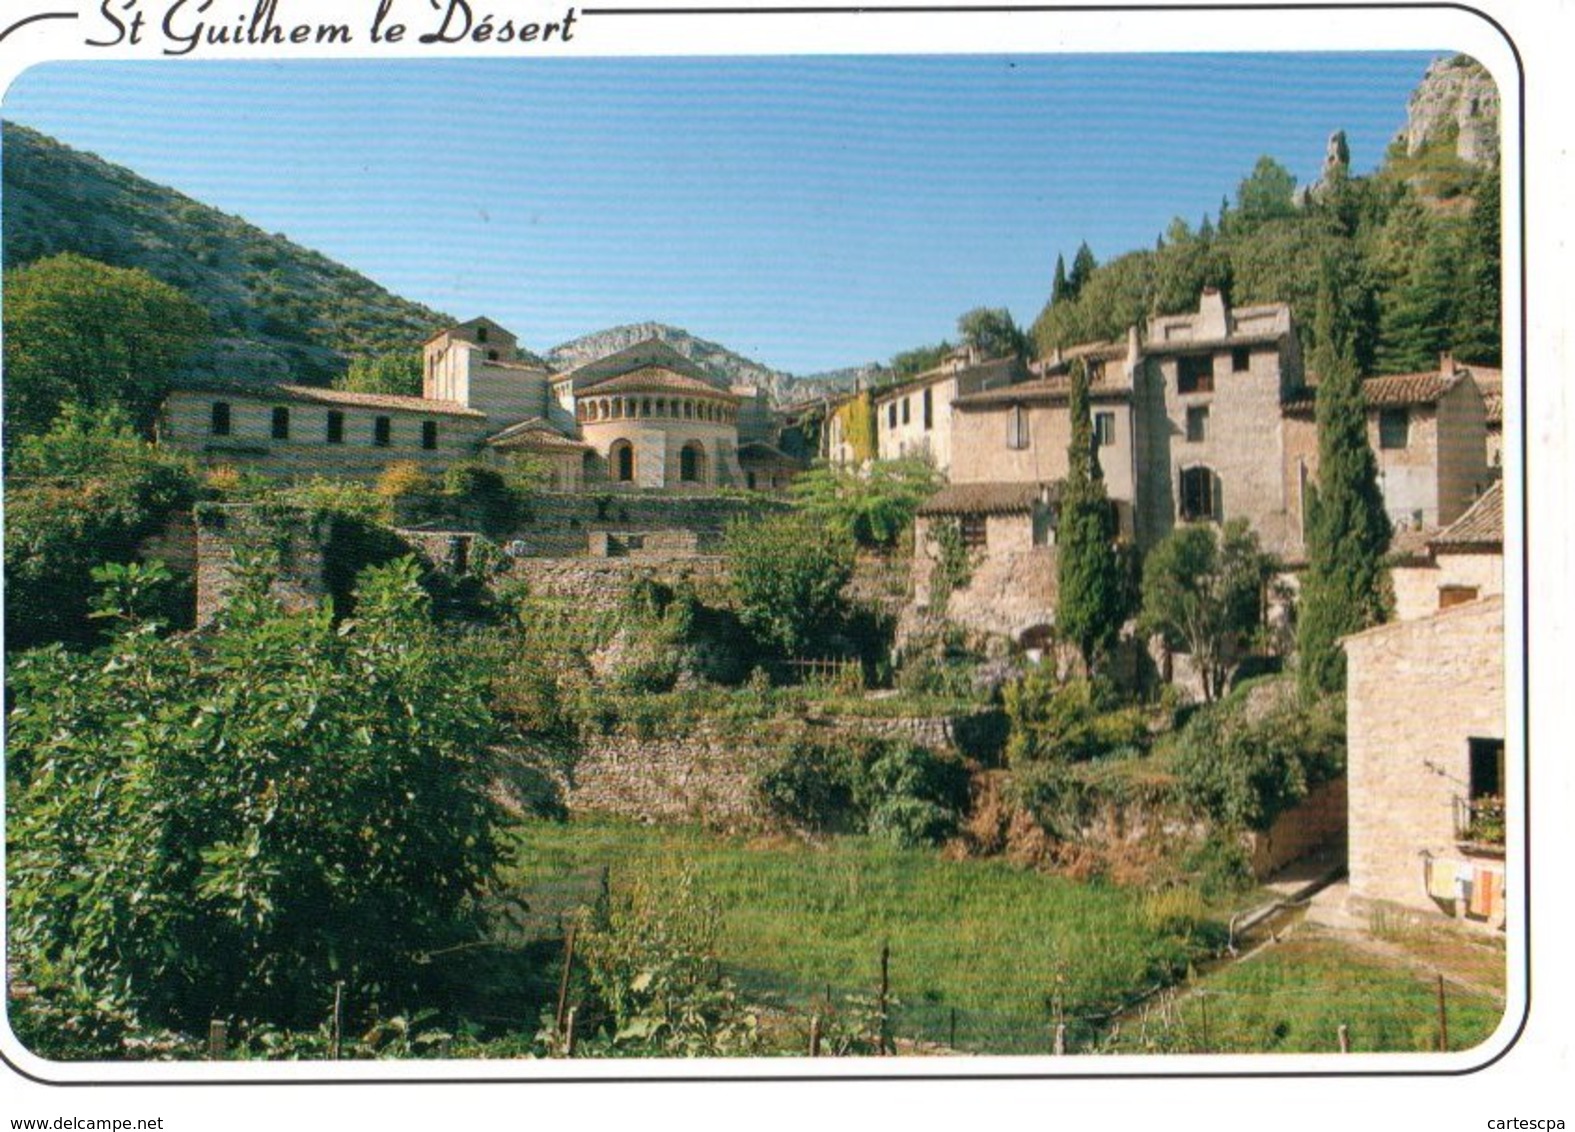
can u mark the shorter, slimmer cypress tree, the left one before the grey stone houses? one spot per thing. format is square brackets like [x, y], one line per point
[1092, 574]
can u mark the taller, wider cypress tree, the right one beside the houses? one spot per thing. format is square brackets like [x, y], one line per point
[1346, 588]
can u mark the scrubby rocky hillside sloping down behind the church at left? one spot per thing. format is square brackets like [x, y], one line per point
[280, 309]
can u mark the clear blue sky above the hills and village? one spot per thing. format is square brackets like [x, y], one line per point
[809, 213]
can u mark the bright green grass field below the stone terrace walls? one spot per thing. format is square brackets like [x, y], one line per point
[1002, 949]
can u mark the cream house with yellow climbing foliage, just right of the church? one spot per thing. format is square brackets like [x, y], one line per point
[914, 420]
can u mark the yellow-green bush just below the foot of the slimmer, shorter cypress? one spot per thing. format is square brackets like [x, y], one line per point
[1069, 722]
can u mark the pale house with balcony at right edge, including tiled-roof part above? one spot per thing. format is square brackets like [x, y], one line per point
[1426, 731]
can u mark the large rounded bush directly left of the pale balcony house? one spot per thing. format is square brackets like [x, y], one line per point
[1245, 768]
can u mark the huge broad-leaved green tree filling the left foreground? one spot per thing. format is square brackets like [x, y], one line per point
[229, 824]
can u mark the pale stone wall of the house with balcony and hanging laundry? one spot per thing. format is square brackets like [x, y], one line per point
[1417, 694]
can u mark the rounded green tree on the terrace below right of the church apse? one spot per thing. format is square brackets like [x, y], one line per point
[788, 574]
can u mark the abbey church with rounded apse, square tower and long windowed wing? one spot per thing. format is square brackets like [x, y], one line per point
[643, 418]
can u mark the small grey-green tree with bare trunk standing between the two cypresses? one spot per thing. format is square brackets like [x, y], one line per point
[1204, 594]
